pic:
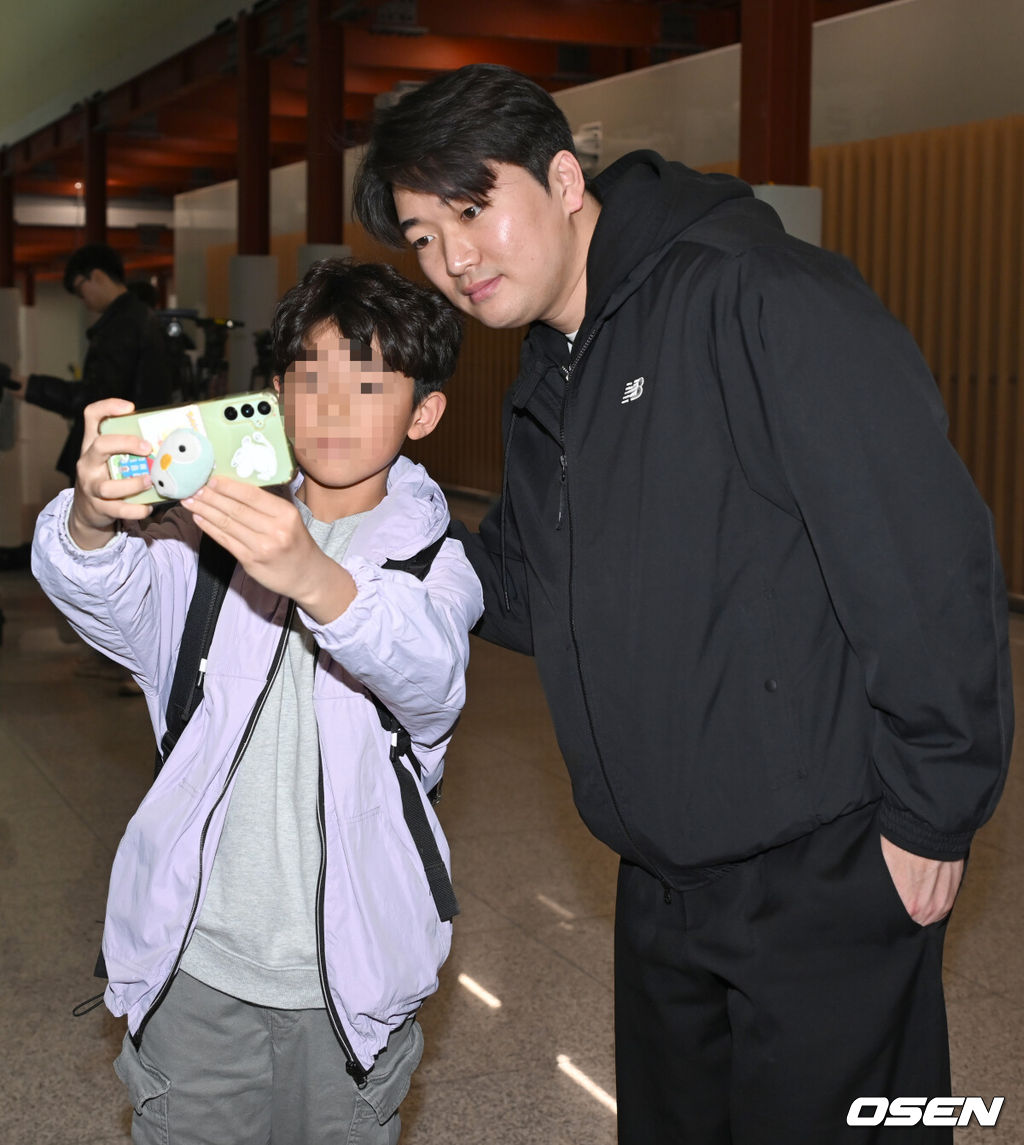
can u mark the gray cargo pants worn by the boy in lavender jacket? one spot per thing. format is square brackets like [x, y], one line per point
[216, 1071]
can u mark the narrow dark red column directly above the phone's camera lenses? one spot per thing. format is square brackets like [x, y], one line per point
[254, 143]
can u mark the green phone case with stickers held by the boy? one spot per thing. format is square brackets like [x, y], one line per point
[247, 432]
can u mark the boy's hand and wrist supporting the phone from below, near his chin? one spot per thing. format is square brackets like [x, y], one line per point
[269, 539]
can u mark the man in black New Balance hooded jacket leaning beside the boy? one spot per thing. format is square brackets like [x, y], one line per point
[765, 599]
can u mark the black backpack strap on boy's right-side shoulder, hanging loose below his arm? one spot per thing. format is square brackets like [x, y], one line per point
[401, 746]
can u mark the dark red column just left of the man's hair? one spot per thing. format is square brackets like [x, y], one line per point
[326, 127]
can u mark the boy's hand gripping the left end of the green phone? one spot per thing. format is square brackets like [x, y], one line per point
[99, 501]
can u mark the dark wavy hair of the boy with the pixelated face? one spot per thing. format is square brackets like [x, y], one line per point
[420, 334]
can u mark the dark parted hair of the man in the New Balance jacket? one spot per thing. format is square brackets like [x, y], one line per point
[443, 138]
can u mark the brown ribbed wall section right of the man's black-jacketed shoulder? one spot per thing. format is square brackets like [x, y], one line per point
[934, 223]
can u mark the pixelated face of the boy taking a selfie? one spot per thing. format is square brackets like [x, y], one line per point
[348, 415]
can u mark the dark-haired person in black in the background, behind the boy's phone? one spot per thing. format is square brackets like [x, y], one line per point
[125, 357]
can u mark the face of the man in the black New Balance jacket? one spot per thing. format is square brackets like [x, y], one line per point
[509, 263]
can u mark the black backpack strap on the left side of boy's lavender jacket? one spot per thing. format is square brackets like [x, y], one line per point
[214, 577]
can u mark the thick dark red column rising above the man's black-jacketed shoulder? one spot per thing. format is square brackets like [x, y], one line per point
[776, 92]
